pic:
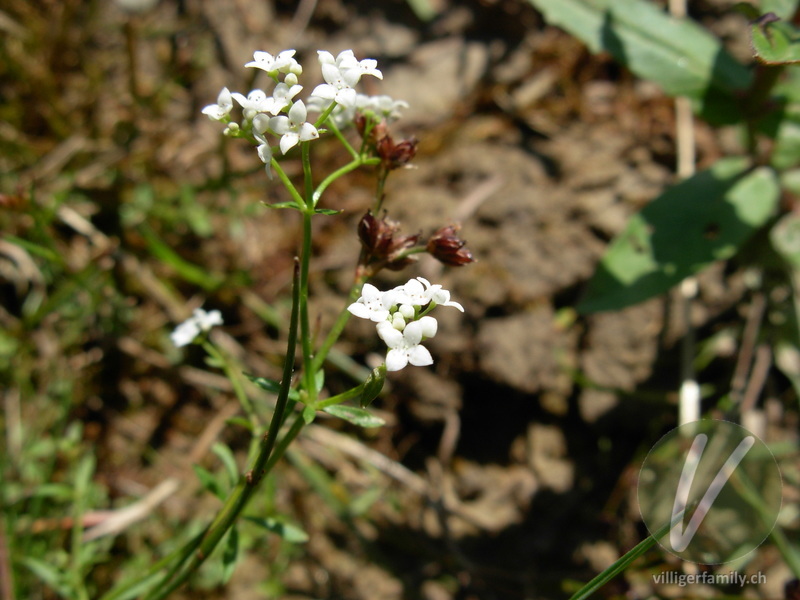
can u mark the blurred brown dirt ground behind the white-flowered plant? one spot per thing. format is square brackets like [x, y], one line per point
[512, 460]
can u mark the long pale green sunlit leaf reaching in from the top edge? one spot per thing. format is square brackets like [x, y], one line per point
[679, 55]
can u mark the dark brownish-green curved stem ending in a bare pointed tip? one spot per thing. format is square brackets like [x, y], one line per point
[248, 483]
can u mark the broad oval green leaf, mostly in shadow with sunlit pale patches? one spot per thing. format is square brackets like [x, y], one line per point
[703, 219]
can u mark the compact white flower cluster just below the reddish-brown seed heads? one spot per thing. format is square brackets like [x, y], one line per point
[402, 319]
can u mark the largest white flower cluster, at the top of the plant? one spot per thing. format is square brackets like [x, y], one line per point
[281, 115]
